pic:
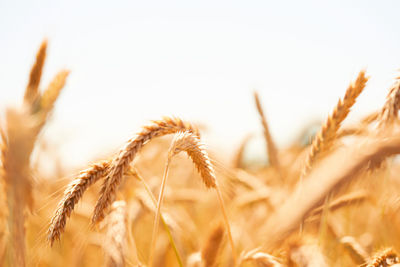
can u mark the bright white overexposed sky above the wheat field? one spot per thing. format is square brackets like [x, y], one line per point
[132, 61]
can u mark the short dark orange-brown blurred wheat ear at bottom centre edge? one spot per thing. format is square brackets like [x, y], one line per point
[209, 252]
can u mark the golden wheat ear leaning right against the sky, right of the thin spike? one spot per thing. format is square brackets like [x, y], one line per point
[325, 137]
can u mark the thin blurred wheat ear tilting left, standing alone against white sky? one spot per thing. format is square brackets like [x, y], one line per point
[271, 147]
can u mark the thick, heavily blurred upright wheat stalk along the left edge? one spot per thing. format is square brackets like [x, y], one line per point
[18, 139]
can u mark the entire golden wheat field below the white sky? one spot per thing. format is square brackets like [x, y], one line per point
[331, 202]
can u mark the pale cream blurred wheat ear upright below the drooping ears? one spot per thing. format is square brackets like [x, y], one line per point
[116, 242]
